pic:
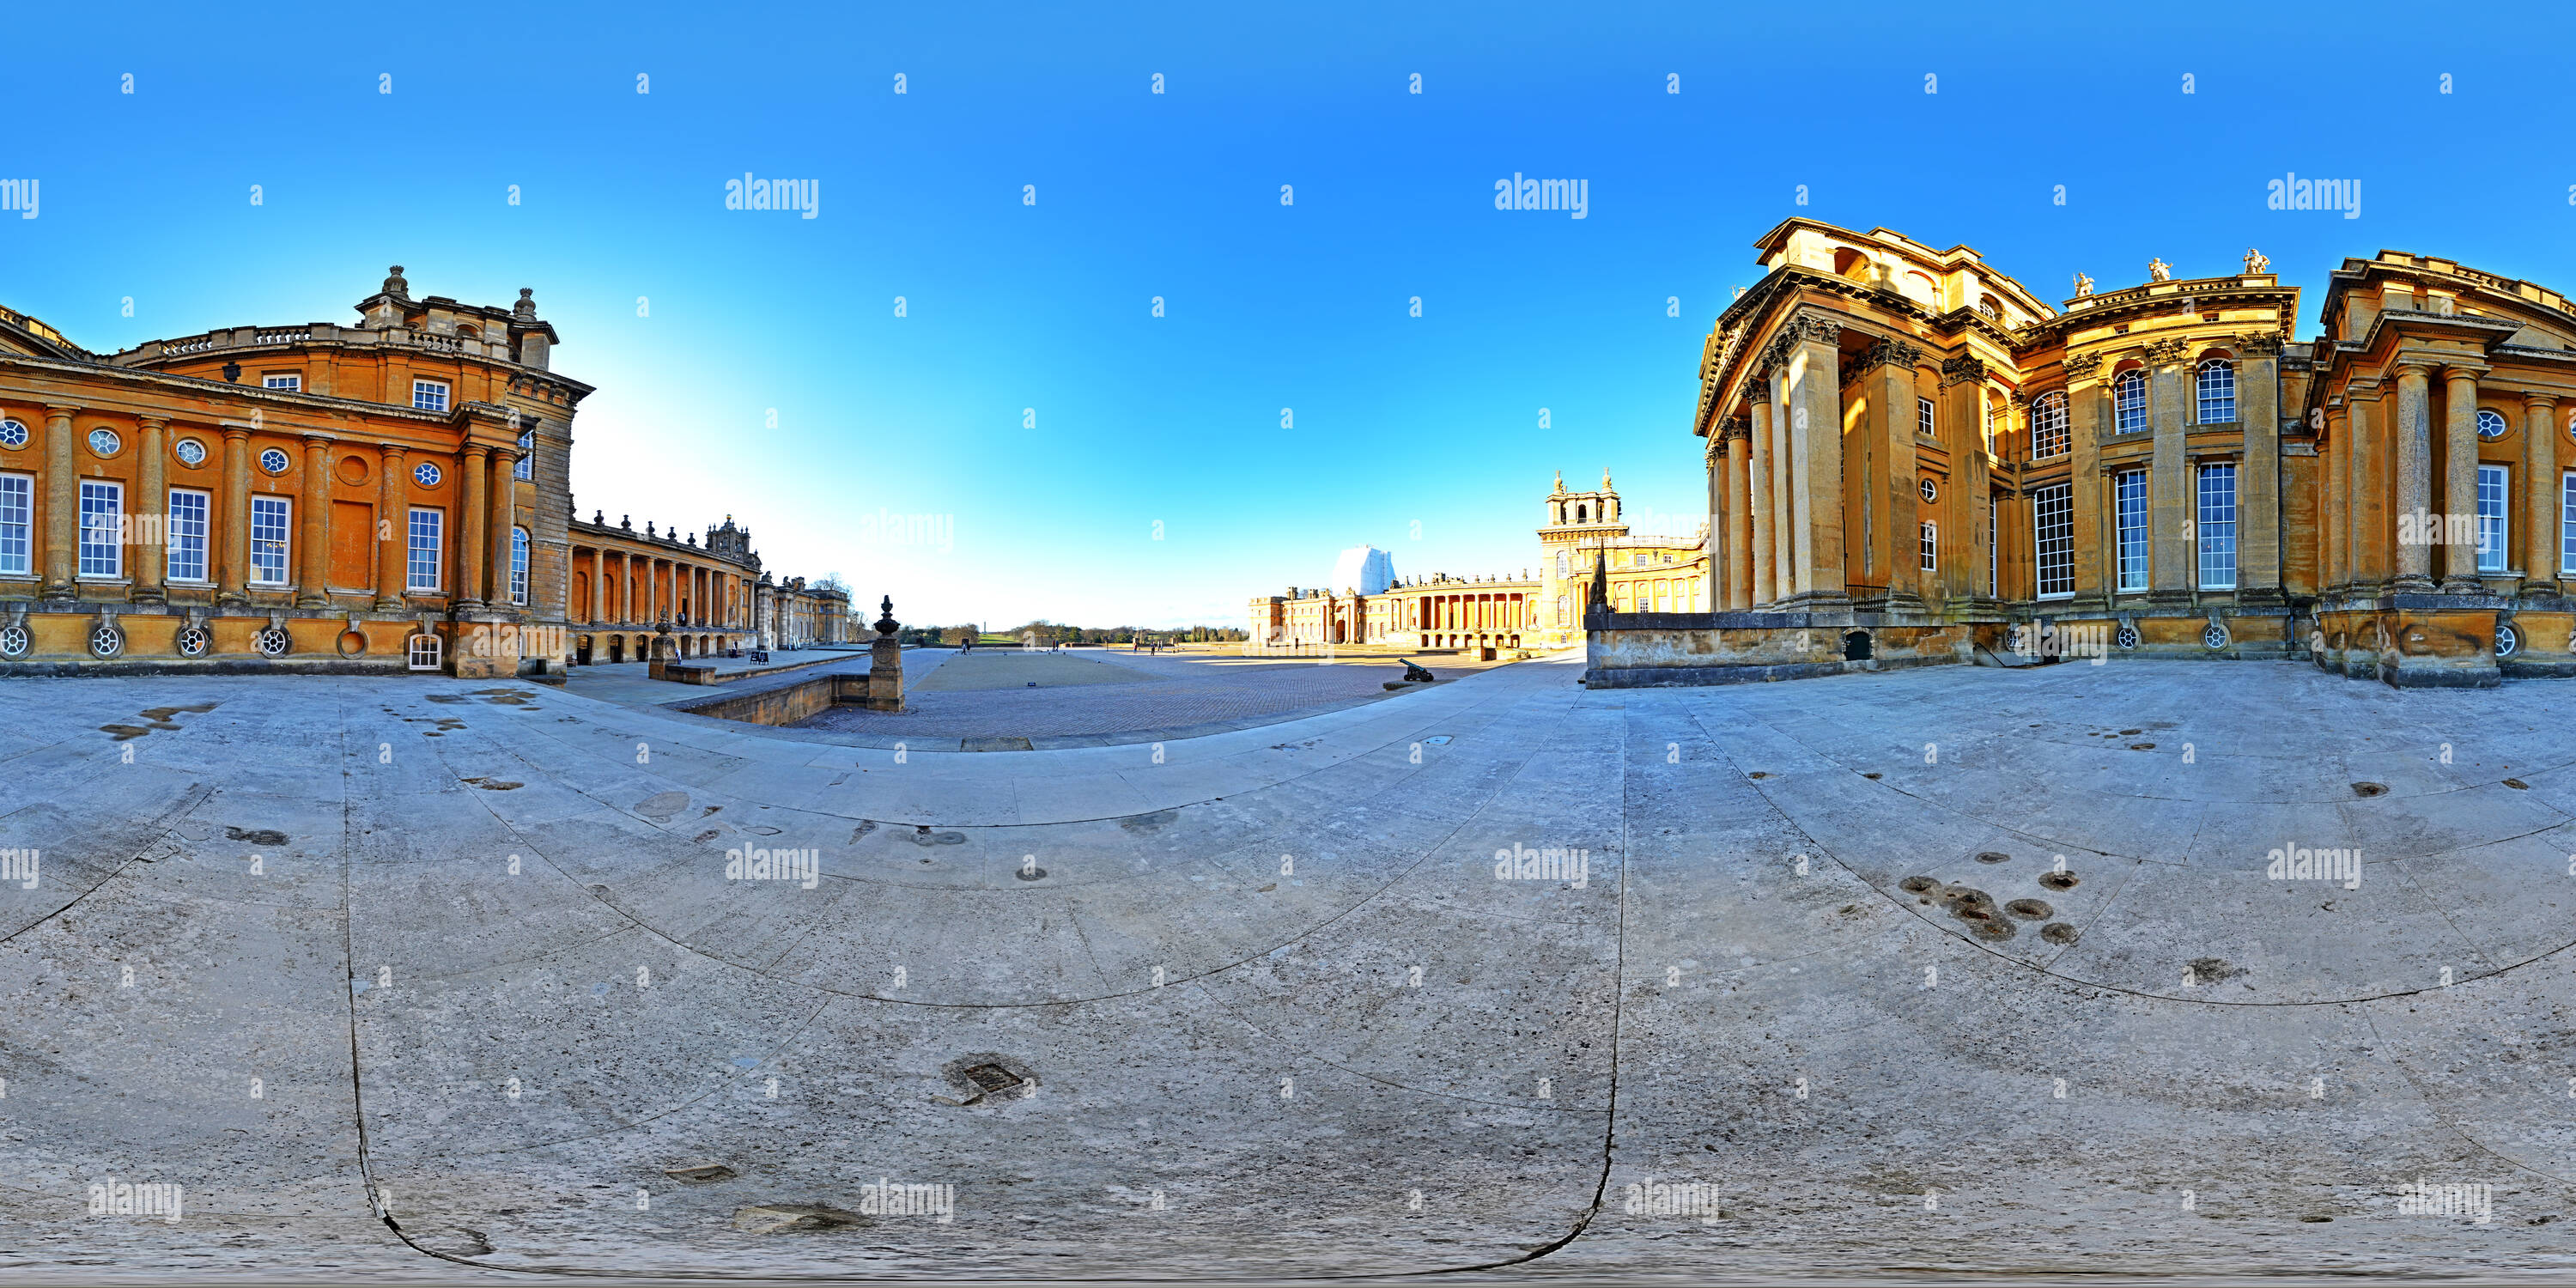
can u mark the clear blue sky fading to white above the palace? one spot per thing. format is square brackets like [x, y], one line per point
[1416, 434]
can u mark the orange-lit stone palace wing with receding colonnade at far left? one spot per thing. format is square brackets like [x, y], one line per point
[390, 496]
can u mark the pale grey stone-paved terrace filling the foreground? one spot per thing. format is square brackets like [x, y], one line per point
[1848, 978]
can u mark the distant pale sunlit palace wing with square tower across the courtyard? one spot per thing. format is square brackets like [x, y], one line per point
[1647, 573]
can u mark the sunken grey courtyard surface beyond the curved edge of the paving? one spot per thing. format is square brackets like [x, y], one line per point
[1168, 692]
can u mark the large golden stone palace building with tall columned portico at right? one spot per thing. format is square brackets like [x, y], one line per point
[1915, 460]
